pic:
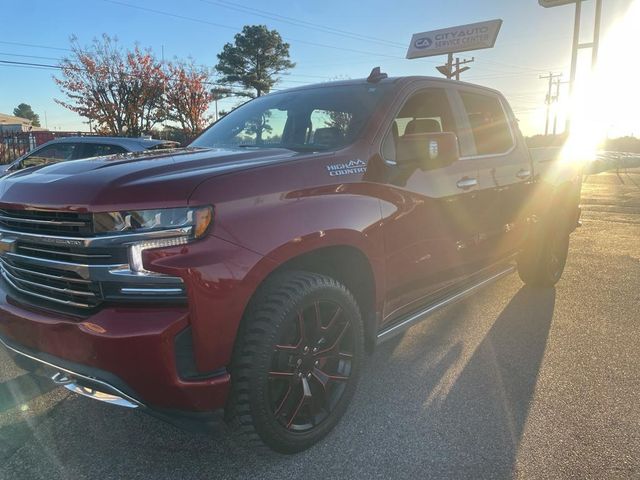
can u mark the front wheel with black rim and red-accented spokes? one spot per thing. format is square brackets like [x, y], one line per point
[296, 362]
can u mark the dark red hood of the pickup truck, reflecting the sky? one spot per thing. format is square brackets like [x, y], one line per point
[140, 180]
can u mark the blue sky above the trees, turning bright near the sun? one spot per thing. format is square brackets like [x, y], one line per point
[328, 40]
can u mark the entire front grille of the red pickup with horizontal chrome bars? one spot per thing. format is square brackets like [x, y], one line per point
[76, 273]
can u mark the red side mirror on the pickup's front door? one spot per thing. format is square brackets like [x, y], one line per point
[428, 150]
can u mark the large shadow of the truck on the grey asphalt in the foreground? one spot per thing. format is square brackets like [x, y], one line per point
[450, 400]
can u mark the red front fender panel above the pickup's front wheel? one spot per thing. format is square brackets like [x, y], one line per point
[281, 227]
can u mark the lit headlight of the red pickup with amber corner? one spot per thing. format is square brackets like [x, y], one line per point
[141, 221]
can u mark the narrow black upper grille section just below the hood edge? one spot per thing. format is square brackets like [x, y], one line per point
[47, 222]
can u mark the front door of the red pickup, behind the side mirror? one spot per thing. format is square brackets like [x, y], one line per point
[429, 214]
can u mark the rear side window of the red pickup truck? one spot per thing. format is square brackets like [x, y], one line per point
[488, 123]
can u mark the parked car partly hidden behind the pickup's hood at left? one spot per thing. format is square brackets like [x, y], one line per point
[76, 148]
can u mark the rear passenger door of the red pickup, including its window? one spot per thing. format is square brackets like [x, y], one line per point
[505, 172]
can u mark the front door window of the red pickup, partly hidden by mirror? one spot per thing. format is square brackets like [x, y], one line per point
[427, 111]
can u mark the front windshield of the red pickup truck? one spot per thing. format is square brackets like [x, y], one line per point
[314, 119]
